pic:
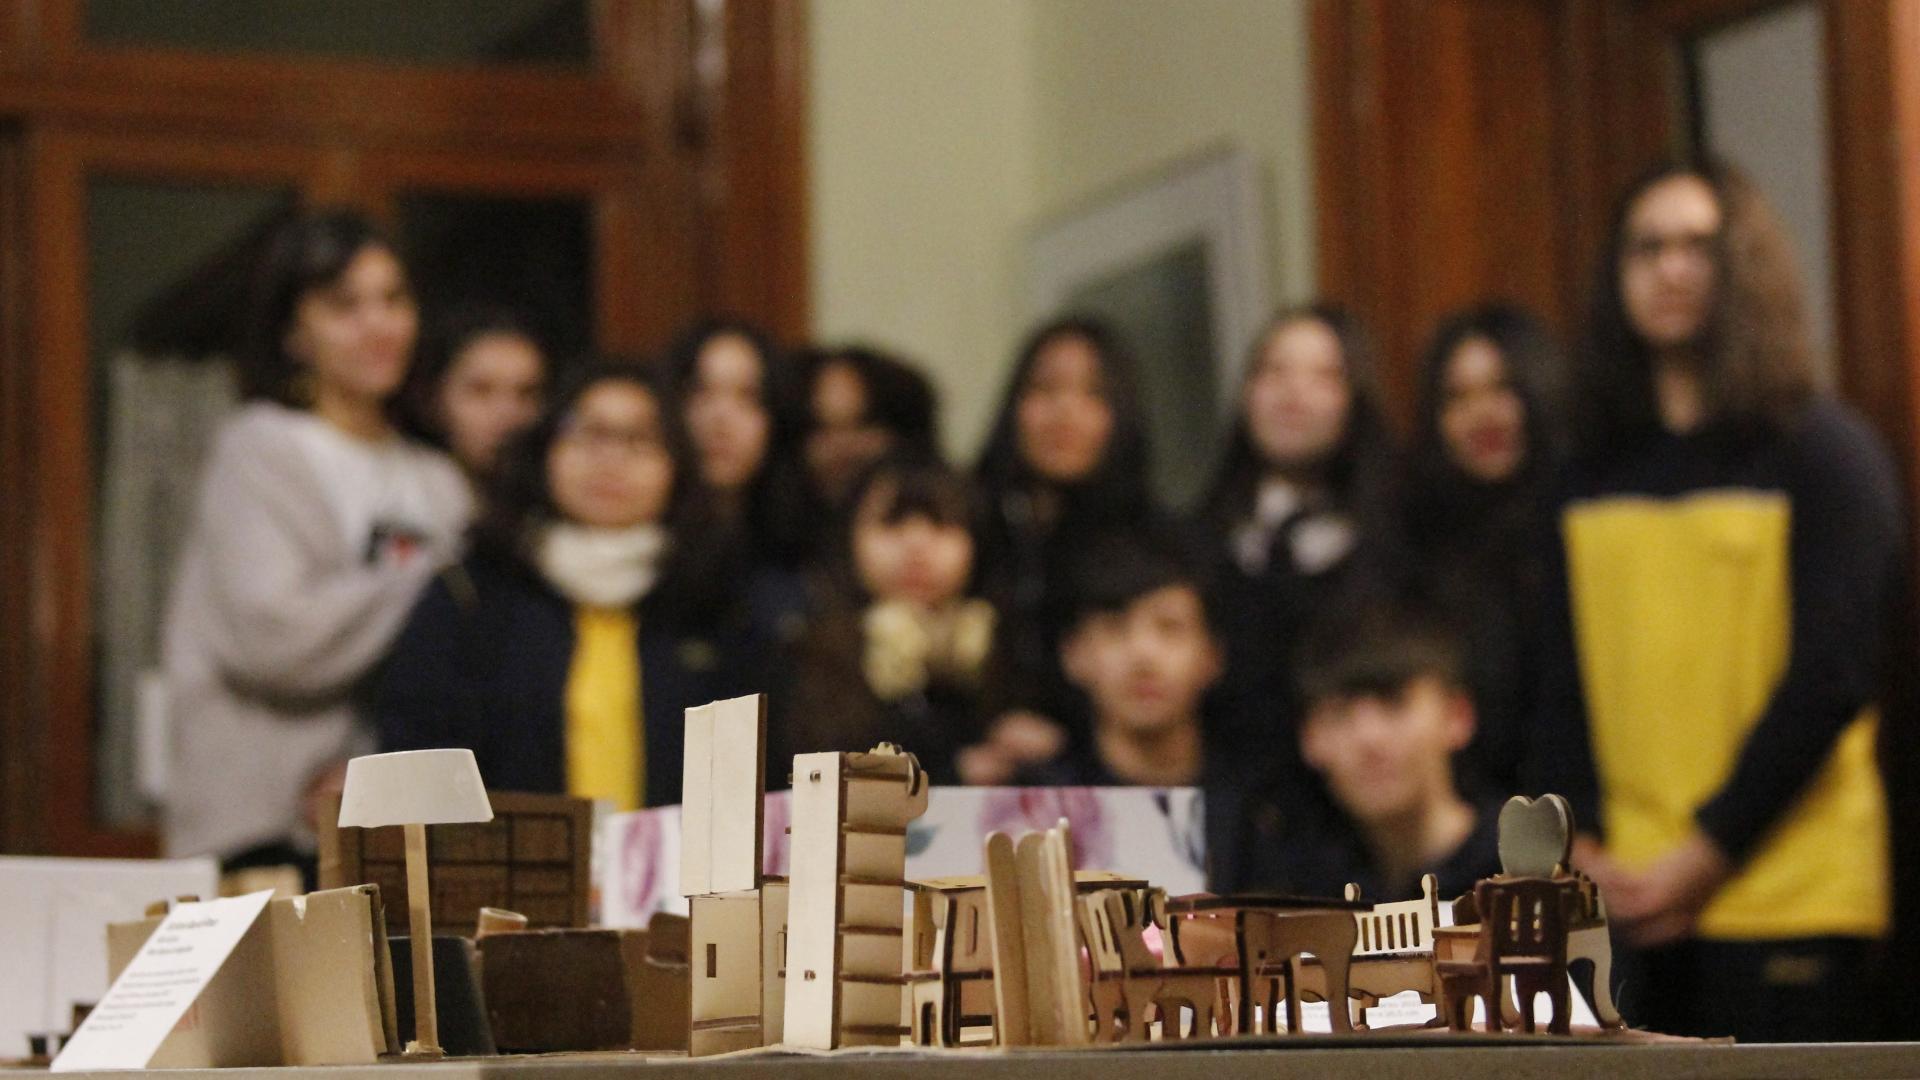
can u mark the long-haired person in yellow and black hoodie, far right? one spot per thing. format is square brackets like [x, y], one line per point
[1729, 554]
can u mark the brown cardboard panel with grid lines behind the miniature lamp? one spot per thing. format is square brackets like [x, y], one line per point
[531, 858]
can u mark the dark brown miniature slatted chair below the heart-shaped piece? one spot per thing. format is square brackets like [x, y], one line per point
[1522, 937]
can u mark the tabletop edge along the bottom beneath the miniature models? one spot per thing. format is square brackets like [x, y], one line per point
[1337, 1058]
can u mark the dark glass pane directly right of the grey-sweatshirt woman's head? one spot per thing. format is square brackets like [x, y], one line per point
[531, 255]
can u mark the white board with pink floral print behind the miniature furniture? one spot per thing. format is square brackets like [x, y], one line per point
[1143, 833]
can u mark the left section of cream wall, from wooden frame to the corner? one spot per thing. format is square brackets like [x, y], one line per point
[921, 122]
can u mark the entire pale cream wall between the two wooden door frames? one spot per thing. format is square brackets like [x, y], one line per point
[944, 132]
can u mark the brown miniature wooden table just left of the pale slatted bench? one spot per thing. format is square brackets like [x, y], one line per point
[1259, 941]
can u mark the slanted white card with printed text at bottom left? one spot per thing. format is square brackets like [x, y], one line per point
[160, 985]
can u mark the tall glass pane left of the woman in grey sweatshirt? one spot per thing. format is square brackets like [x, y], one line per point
[164, 266]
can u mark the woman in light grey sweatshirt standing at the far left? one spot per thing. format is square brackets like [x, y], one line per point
[316, 529]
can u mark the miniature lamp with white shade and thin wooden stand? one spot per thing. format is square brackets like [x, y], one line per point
[416, 789]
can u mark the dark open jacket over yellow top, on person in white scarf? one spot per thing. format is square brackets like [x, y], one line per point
[485, 664]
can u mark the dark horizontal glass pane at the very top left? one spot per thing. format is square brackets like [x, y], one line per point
[414, 32]
